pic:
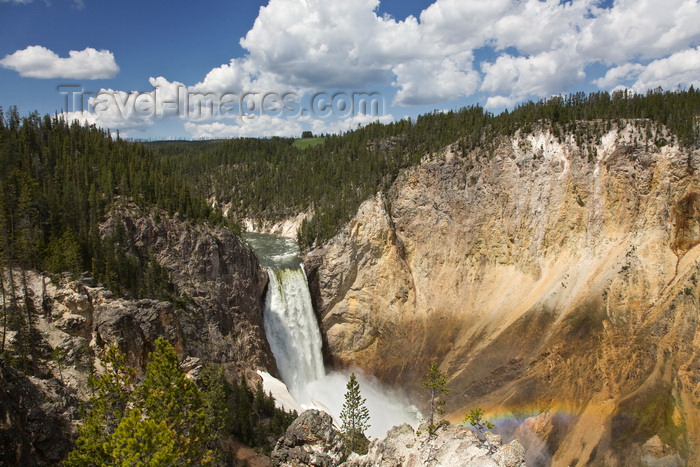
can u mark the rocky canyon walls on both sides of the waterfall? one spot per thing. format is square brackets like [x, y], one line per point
[555, 283]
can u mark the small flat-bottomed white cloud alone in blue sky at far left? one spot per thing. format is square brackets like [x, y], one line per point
[39, 62]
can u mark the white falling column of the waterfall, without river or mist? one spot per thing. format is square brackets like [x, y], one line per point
[291, 328]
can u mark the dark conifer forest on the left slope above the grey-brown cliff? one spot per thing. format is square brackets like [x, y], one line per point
[58, 182]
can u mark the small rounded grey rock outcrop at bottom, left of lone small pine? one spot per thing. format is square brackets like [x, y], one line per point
[310, 440]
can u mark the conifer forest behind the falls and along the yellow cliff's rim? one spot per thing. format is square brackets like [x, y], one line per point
[271, 179]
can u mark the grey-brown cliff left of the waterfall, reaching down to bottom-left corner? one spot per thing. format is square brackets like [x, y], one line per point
[218, 319]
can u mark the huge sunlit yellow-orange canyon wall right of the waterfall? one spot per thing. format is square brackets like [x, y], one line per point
[544, 278]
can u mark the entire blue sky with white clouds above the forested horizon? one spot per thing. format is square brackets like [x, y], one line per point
[210, 69]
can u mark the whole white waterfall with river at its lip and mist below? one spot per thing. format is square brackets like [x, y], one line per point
[295, 340]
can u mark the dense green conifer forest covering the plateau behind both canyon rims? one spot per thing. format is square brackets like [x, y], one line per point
[59, 179]
